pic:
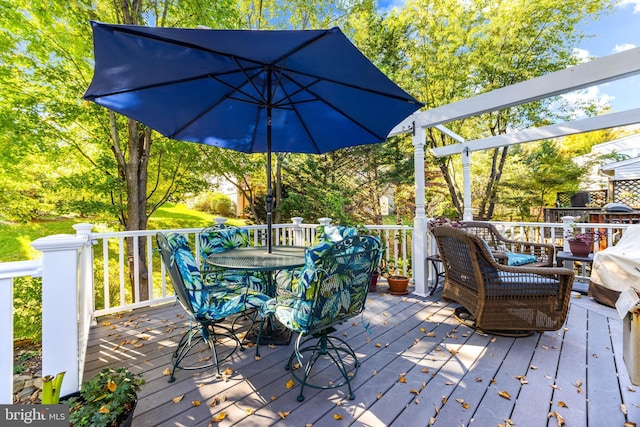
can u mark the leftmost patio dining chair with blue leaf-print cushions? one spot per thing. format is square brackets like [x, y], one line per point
[213, 309]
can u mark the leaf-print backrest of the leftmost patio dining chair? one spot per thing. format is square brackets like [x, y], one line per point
[183, 270]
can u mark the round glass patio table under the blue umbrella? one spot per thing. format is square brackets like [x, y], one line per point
[258, 259]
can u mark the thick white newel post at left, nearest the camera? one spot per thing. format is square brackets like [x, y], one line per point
[60, 348]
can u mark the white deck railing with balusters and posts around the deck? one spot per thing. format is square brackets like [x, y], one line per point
[85, 275]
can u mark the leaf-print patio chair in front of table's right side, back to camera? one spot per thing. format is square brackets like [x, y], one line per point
[332, 288]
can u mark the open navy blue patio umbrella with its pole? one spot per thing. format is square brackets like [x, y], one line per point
[300, 91]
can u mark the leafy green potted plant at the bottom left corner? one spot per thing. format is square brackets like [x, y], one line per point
[107, 400]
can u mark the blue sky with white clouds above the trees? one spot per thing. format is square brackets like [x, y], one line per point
[611, 34]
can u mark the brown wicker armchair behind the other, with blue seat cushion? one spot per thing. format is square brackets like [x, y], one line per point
[500, 245]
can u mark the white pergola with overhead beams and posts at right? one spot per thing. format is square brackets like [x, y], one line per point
[598, 71]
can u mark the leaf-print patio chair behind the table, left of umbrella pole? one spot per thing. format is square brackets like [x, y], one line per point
[221, 238]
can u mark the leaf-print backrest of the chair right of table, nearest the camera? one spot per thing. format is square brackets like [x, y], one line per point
[336, 278]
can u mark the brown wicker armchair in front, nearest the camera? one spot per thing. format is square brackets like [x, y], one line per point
[500, 297]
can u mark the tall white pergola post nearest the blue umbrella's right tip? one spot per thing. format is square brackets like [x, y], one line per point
[419, 238]
